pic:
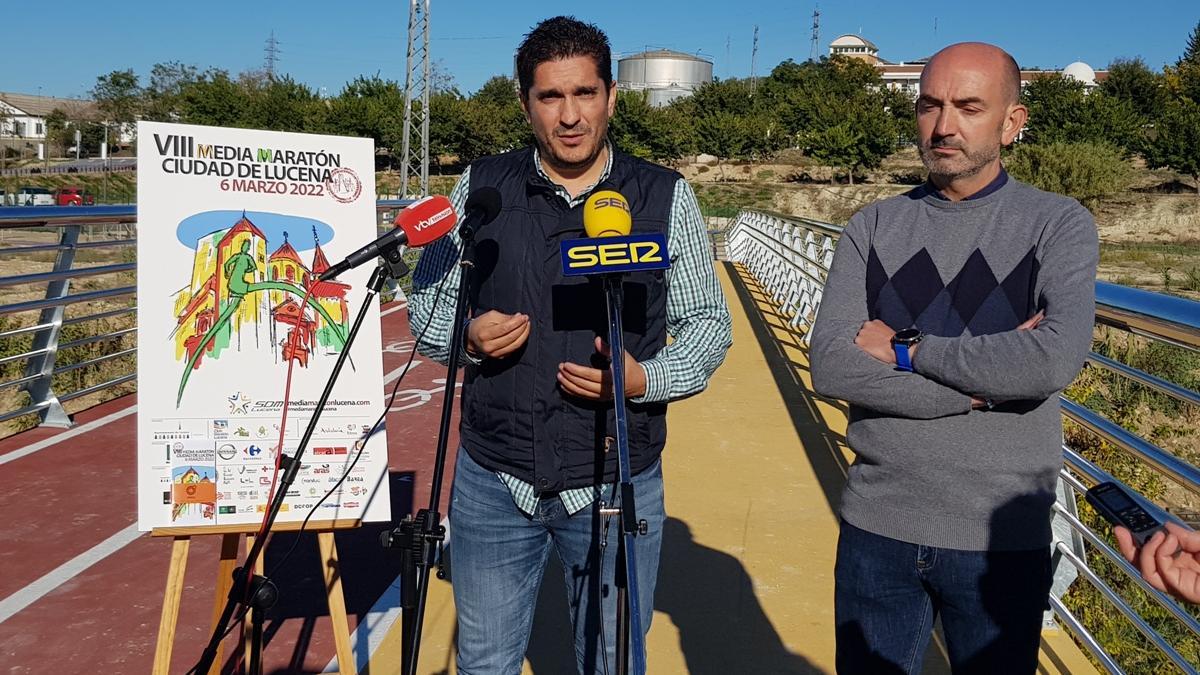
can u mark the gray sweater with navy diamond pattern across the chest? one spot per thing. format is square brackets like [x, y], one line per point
[928, 469]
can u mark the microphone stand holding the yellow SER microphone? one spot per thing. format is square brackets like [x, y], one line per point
[631, 638]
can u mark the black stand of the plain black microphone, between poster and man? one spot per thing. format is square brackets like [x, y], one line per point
[419, 539]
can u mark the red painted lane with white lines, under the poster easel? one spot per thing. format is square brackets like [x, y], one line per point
[107, 618]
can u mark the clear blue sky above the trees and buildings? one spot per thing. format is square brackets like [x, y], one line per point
[328, 44]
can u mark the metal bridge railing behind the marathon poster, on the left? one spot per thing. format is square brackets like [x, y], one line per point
[74, 229]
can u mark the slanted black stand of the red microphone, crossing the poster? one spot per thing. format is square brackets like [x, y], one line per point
[256, 592]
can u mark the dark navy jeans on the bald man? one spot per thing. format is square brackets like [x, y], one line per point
[889, 594]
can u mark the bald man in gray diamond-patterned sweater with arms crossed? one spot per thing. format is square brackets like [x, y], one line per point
[952, 319]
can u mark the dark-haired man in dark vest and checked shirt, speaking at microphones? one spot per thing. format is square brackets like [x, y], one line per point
[537, 414]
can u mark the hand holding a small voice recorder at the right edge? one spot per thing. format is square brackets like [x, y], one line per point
[1169, 563]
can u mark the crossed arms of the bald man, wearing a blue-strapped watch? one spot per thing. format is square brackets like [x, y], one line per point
[853, 357]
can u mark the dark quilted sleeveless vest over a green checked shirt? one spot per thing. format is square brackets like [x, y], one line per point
[515, 419]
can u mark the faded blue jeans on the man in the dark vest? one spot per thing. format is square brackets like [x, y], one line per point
[499, 555]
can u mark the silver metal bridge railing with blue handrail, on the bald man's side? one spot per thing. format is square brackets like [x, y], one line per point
[790, 258]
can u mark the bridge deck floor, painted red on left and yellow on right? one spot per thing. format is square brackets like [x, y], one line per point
[754, 468]
